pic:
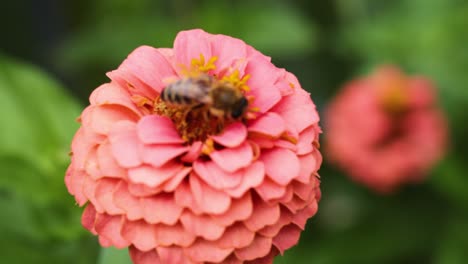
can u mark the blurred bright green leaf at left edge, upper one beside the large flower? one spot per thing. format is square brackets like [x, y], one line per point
[39, 119]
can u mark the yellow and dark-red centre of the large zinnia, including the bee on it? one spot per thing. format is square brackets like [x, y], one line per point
[201, 103]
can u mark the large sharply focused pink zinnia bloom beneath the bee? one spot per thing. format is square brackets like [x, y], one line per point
[175, 188]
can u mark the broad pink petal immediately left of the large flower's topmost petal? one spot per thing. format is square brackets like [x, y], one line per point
[149, 65]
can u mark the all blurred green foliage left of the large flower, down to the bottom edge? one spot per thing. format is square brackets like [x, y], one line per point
[39, 223]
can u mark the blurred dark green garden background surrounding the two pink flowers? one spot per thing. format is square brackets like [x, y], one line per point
[54, 53]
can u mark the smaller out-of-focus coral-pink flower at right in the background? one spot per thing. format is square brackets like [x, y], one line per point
[386, 129]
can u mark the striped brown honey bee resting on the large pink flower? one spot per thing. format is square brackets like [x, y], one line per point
[222, 99]
